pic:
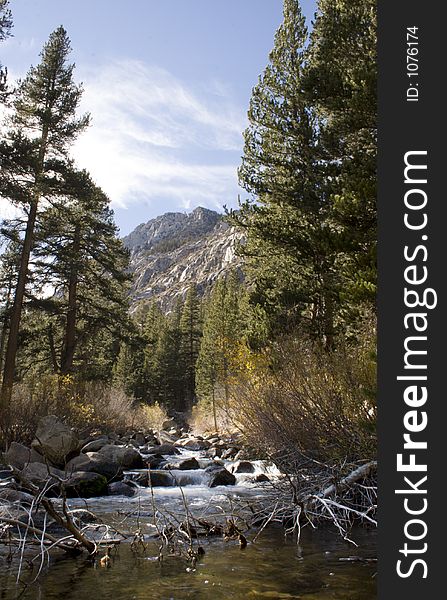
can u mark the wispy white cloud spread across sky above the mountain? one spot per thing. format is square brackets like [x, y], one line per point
[152, 136]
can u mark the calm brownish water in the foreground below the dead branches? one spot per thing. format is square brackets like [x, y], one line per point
[271, 568]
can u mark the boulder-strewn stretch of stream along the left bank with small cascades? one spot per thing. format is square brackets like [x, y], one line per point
[113, 464]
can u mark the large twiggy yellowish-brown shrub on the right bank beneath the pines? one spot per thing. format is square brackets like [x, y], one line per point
[298, 399]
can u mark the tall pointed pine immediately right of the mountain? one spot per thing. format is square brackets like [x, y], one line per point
[290, 251]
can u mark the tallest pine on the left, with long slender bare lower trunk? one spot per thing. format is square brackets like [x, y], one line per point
[41, 129]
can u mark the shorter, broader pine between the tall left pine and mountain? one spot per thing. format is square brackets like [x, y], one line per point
[78, 252]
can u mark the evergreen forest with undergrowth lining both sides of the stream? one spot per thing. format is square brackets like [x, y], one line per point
[284, 352]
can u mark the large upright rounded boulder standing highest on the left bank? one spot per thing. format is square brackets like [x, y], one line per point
[55, 441]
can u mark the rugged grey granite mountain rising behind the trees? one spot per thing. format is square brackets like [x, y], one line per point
[172, 251]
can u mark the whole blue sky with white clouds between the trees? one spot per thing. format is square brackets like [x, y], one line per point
[167, 83]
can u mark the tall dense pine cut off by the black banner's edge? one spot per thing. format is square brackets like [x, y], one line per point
[342, 82]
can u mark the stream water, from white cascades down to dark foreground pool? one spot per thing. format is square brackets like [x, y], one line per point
[321, 567]
